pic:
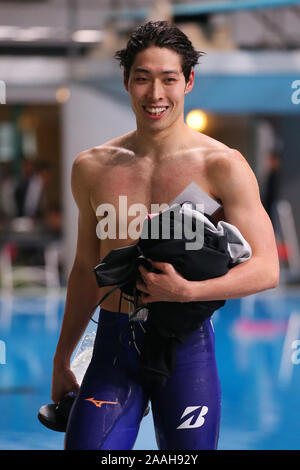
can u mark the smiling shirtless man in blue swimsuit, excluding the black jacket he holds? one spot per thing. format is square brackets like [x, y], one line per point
[152, 165]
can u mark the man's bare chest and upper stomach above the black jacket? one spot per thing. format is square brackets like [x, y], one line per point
[122, 196]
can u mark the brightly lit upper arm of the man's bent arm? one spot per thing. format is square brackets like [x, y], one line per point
[238, 190]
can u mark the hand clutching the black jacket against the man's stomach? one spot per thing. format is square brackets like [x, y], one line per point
[167, 286]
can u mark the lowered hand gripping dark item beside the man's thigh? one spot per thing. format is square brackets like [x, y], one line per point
[63, 382]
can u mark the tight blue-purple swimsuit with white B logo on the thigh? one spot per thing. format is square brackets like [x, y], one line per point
[112, 400]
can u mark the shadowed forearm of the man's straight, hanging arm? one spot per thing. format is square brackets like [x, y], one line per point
[82, 294]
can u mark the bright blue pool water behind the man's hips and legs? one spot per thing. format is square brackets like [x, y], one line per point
[257, 355]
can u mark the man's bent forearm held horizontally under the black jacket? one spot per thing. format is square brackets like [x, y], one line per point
[244, 279]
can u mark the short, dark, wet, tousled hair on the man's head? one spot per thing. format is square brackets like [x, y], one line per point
[159, 34]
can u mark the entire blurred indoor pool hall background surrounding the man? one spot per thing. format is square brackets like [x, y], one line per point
[60, 93]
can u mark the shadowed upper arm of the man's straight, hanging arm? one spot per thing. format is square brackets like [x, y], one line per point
[88, 244]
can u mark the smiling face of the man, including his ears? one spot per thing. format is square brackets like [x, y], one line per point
[157, 87]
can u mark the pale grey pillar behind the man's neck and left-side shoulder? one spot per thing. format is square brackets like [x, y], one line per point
[89, 118]
